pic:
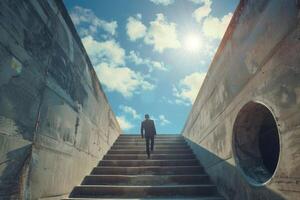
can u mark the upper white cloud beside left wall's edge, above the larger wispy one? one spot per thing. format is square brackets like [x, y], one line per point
[108, 51]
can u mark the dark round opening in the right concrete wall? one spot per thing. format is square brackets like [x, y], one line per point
[256, 143]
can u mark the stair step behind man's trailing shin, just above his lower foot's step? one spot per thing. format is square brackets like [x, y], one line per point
[143, 151]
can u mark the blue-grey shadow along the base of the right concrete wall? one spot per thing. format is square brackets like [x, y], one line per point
[229, 179]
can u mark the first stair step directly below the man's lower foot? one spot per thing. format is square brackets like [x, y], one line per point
[137, 163]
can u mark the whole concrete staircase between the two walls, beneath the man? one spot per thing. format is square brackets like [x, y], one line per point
[125, 172]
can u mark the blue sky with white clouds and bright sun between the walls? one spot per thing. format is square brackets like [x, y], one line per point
[151, 56]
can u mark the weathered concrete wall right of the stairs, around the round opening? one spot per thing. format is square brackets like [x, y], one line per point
[258, 60]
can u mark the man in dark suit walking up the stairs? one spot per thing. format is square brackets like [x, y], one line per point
[149, 128]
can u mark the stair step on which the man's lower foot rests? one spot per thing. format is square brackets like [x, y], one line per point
[143, 156]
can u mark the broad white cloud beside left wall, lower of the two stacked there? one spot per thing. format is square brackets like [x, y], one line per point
[122, 79]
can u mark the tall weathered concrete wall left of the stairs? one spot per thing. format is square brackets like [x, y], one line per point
[55, 121]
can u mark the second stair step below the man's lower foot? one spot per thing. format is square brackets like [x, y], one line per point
[150, 170]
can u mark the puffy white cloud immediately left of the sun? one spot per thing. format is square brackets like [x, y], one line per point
[162, 34]
